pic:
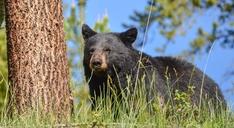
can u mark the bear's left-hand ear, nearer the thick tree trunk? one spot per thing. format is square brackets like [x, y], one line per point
[87, 32]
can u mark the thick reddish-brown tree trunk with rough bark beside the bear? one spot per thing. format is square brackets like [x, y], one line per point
[37, 60]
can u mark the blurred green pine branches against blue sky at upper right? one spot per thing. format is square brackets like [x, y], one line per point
[175, 18]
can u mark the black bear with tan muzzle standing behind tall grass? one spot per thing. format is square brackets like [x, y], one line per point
[111, 55]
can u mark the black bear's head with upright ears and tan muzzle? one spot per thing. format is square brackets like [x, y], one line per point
[107, 52]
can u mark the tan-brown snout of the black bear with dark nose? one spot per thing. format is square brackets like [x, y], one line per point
[98, 62]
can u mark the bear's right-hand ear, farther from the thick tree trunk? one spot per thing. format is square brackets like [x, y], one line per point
[129, 36]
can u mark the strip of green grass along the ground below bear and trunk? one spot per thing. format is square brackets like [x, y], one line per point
[132, 111]
